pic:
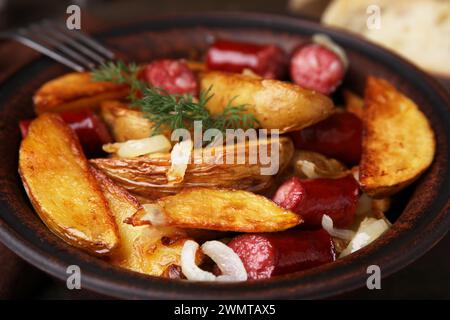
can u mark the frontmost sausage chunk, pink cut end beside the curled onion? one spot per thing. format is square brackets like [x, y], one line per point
[269, 254]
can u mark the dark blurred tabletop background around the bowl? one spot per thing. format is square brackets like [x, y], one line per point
[427, 278]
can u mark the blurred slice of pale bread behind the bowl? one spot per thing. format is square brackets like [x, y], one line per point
[416, 29]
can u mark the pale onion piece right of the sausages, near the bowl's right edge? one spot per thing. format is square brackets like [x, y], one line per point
[369, 230]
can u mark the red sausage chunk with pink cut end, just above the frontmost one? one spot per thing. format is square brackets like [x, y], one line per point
[337, 198]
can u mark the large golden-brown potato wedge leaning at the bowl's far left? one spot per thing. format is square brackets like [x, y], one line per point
[56, 176]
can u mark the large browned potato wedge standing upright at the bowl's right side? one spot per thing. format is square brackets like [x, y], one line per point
[398, 142]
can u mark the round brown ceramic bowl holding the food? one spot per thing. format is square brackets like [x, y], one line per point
[422, 210]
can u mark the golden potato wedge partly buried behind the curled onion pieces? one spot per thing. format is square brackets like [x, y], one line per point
[146, 249]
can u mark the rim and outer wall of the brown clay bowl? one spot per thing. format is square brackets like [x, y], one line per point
[392, 251]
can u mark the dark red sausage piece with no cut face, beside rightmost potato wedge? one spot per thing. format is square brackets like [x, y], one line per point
[339, 136]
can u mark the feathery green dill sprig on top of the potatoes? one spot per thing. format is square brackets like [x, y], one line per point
[173, 110]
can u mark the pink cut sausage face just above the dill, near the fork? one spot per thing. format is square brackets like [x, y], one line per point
[174, 76]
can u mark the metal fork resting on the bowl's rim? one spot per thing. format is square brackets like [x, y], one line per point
[72, 48]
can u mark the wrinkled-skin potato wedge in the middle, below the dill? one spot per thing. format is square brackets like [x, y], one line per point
[146, 176]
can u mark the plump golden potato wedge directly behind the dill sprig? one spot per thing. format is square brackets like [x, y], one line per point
[275, 104]
